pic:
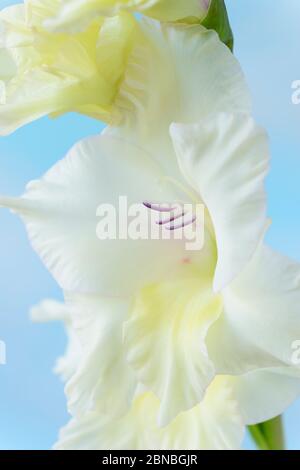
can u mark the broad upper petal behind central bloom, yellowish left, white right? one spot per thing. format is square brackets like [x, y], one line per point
[178, 74]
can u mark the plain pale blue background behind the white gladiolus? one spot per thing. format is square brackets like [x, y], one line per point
[32, 404]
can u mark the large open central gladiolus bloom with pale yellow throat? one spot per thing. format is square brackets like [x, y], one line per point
[177, 324]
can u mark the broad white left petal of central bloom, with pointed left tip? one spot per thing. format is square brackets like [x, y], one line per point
[66, 214]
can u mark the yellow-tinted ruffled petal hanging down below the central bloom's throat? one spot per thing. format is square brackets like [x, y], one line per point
[165, 342]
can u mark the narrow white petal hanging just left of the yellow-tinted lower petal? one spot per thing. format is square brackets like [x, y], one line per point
[103, 381]
